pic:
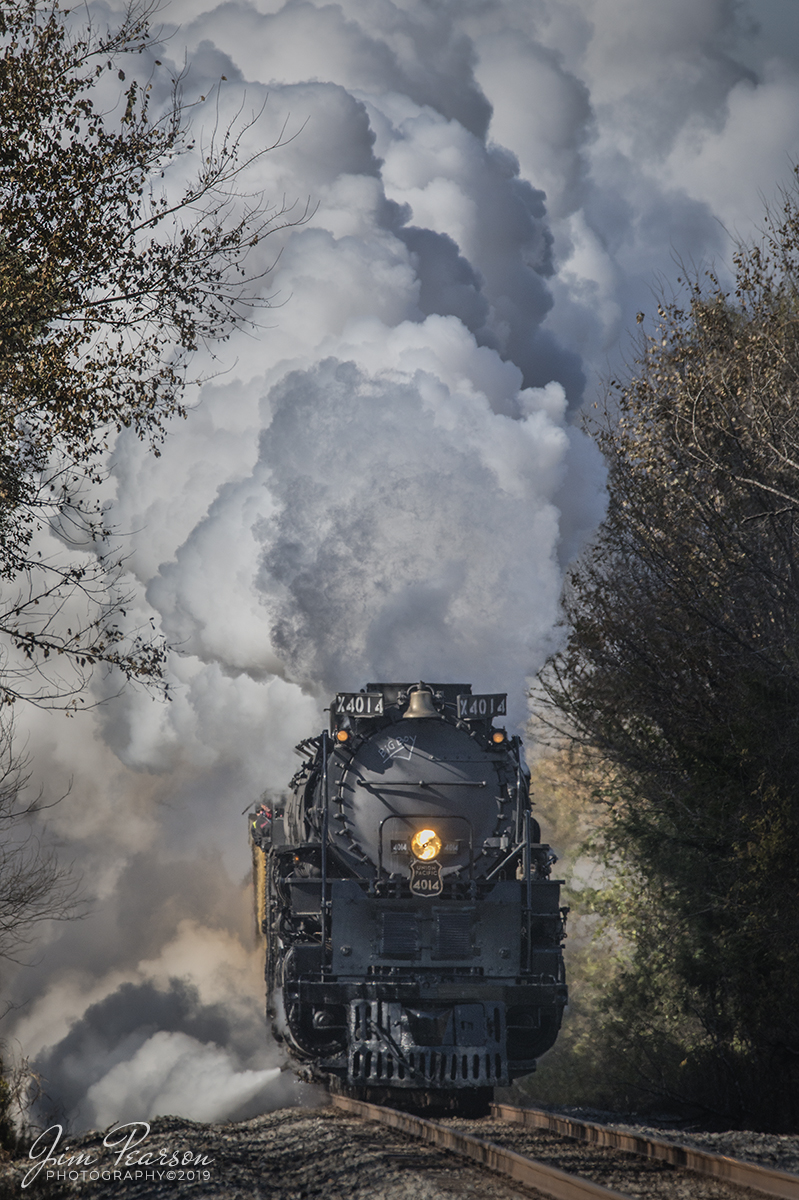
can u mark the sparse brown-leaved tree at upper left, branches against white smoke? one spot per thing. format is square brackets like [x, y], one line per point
[110, 281]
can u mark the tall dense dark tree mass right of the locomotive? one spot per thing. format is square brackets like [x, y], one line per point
[681, 676]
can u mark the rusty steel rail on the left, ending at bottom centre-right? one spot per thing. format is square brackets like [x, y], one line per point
[549, 1180]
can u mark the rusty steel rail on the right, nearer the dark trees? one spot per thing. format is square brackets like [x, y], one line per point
[734, 1171]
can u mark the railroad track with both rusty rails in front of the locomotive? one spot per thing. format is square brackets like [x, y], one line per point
[646, 1167]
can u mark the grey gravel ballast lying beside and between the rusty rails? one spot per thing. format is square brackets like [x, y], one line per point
[308, 1154]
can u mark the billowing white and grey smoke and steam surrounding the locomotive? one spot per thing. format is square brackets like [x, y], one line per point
[388, 478]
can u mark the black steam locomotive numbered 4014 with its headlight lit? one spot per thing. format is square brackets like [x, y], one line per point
[413, 933]
